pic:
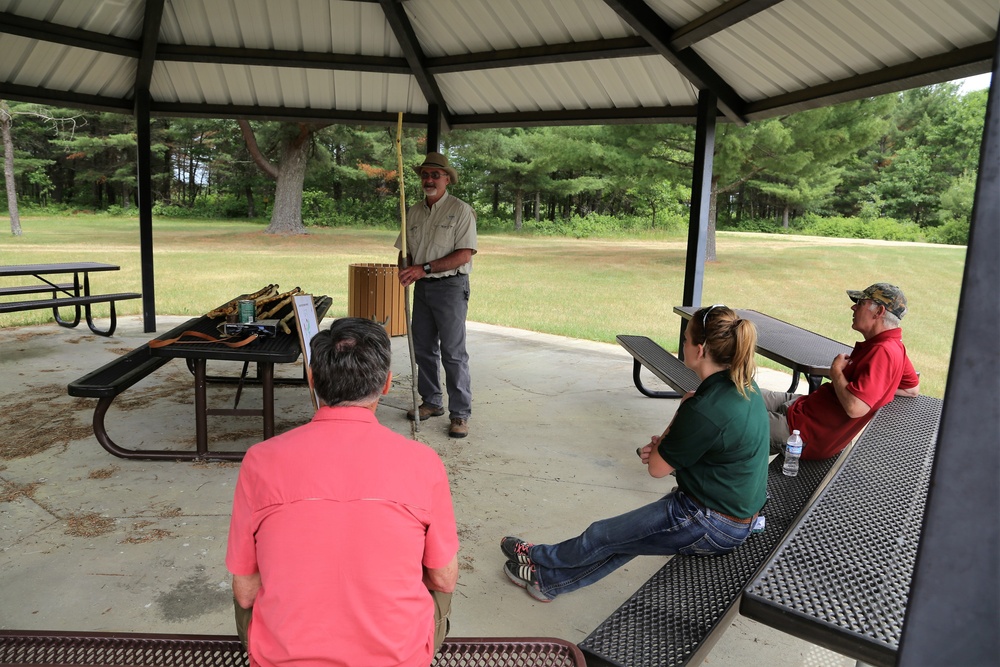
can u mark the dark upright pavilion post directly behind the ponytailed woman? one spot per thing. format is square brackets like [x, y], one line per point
[701, 199]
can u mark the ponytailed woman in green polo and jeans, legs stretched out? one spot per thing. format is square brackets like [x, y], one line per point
[717, 445]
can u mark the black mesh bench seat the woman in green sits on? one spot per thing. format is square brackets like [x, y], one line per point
[667, 620]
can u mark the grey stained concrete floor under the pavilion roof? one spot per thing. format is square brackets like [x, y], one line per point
[92, 542]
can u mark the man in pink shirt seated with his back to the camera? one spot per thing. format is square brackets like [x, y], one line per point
[342, 543]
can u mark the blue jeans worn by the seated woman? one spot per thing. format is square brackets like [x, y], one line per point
[674, 524]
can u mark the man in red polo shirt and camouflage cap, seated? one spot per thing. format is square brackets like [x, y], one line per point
[860, 383]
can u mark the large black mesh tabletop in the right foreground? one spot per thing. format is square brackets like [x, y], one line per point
[842, 578]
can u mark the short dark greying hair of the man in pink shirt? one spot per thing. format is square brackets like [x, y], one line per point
[350, 361]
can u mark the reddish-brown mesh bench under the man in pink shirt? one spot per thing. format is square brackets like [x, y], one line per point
[162, 650]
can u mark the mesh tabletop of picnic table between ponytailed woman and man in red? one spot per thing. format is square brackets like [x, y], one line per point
[799, 349]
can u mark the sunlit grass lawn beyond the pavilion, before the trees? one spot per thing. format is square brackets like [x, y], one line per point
[589, 288]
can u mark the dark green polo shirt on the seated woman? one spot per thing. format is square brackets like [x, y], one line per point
[718, 443]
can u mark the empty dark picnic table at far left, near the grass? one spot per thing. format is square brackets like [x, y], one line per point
[63, 294]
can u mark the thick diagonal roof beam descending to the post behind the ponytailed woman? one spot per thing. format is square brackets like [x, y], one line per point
[648, 24]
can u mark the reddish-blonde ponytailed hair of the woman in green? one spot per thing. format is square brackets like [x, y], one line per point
[729, 340]
